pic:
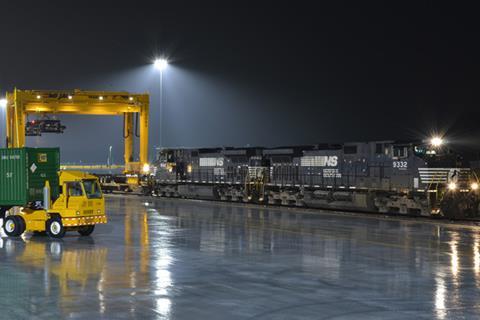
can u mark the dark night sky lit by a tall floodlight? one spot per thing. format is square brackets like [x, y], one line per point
[246, 73]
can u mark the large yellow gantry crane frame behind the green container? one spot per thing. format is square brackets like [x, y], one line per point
[21, 103]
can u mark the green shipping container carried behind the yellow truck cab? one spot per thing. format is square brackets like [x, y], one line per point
[23, 172]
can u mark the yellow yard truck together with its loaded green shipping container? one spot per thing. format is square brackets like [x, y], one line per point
[38, 198]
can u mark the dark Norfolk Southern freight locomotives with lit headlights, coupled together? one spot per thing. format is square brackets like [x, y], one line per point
[421, 178]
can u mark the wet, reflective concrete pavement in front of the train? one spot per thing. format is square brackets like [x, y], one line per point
[177, 259]
